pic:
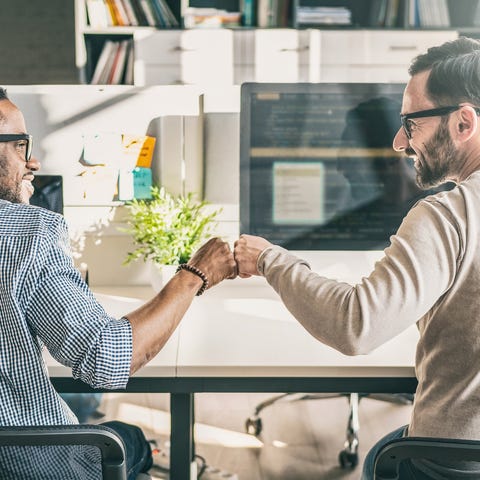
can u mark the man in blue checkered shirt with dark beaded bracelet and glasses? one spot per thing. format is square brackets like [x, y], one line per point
[45, 302]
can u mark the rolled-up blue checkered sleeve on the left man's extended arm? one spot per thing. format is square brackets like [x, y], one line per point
[64, 314]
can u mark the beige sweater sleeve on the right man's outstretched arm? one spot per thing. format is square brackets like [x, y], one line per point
[416, 270]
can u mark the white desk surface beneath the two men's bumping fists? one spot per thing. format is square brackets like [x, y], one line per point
[241, 329]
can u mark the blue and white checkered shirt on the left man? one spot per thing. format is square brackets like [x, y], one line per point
[44, 302]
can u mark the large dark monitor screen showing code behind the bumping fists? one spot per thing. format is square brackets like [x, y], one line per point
[317, 168]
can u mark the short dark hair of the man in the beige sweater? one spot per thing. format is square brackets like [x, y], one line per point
[454, 71]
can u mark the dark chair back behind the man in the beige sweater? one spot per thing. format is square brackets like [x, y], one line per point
[390, 456]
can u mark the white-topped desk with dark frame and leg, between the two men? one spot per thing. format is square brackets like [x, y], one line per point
[239, 337]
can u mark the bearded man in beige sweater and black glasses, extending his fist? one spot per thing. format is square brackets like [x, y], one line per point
[430, 273]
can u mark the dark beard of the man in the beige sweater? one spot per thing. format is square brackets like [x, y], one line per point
[442, 156]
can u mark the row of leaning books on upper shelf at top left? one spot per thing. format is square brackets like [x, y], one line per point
[152, 13]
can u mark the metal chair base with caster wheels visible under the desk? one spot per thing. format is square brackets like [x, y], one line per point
[348, 457]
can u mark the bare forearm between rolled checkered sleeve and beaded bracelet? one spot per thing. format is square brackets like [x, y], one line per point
[154, 323]
